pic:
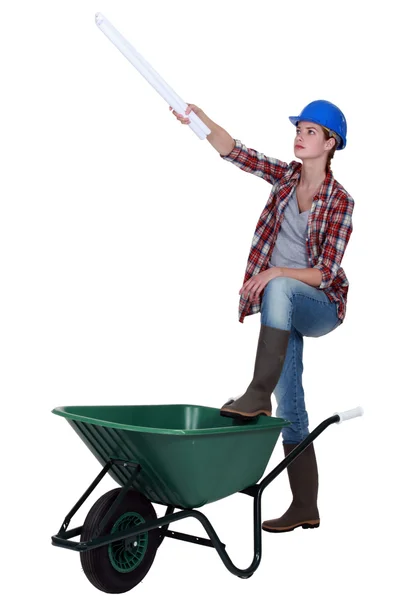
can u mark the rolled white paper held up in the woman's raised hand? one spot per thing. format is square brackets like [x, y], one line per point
[151, 75]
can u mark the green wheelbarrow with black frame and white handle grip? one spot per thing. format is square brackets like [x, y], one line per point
[177, 456]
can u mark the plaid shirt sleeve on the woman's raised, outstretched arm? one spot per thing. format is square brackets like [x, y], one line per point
[247, 159]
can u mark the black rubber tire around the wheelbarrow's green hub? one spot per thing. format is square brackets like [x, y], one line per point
[96, 563]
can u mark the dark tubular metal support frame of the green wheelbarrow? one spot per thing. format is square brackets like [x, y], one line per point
[63, 537]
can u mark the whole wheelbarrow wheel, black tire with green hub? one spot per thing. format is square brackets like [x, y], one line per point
[119, 566]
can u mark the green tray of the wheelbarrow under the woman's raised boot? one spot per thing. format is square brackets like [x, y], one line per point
[189, 455]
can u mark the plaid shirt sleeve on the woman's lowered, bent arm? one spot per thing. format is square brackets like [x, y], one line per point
[337, 237]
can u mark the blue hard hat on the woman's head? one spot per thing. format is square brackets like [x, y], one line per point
[327, 115]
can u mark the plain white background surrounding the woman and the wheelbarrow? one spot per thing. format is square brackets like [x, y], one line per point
[124, 241]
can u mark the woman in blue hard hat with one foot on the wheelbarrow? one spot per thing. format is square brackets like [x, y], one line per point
[294, 278]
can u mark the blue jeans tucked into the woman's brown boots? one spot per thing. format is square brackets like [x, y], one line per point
[304, 311]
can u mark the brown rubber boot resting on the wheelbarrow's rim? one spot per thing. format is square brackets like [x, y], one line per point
[271, 351]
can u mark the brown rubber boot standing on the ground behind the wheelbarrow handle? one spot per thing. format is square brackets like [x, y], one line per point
[303, 478]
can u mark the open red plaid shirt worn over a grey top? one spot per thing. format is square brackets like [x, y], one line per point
[329, 225]
